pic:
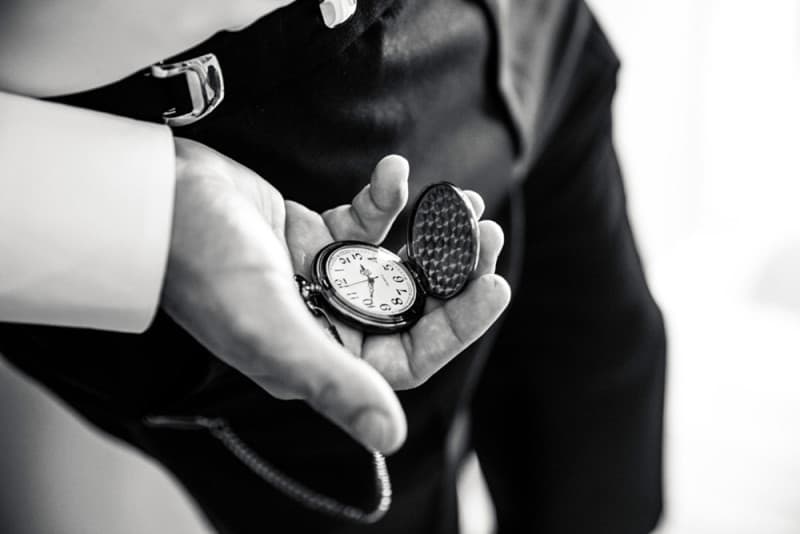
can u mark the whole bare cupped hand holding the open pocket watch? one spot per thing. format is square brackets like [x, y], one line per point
[236, 245]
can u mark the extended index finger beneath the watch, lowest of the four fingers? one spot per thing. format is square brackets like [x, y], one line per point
[409, 359]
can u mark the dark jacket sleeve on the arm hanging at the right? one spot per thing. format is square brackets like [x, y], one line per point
[567, 418]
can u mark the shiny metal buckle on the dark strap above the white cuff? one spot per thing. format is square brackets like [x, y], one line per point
[206, 87]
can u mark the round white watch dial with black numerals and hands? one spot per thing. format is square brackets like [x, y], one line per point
[371, 280]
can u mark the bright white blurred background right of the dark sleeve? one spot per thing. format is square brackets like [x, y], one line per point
[708, 119]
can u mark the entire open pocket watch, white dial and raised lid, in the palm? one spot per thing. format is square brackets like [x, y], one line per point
[374, 290]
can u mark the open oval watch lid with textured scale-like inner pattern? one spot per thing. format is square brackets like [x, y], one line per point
[443, 241]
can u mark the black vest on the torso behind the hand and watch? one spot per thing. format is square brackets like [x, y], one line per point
[459, 88]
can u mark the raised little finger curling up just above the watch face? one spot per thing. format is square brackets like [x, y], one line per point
[375, 207]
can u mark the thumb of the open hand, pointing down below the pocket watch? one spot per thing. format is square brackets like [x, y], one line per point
[299, 360]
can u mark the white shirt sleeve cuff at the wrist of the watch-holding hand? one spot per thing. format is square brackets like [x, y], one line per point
[86, 204]
